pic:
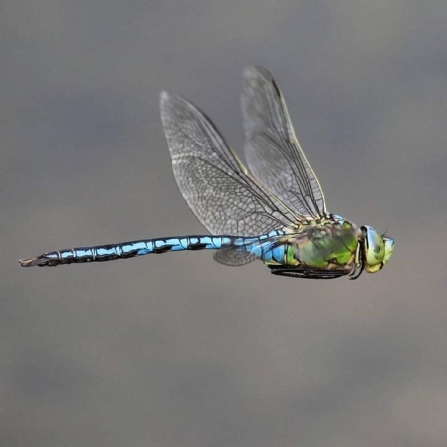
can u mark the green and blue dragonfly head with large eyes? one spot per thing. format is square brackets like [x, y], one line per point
[377, 249]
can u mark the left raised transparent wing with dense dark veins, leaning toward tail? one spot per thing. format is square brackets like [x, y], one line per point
[217, 187]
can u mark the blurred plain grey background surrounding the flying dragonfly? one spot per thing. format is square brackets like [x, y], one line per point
[177, 350]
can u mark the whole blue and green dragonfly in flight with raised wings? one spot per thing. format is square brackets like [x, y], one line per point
[273, 210]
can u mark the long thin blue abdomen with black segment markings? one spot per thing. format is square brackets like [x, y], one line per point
[125, 250]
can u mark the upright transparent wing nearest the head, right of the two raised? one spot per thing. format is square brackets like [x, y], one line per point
[272, 150]
